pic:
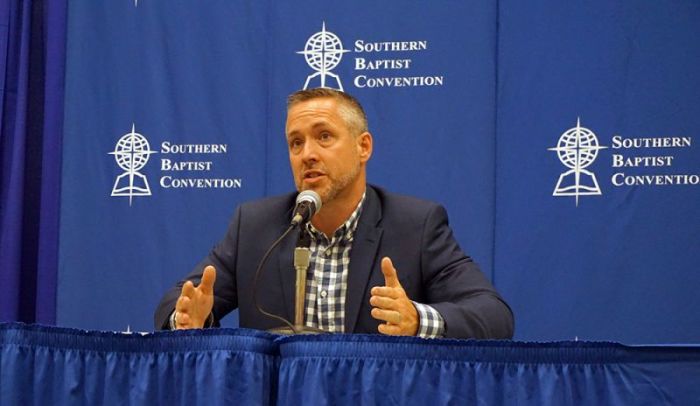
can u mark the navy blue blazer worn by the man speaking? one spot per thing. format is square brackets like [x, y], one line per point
[414, 233]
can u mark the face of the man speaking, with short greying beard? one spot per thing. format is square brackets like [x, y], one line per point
[325, 156]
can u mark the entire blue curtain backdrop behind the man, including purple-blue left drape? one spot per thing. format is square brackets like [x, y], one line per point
[489, 141]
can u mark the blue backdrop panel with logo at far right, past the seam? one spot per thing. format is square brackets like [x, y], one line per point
[598, 169]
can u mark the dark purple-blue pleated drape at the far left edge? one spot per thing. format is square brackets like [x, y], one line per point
[32, 54]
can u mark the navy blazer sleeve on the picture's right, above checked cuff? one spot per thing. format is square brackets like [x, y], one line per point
[457, 289]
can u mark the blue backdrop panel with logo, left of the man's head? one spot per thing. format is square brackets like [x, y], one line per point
[164, 136]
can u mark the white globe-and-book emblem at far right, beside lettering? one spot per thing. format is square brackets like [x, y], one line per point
[577, 149]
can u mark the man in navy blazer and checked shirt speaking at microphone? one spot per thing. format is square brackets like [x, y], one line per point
[380, 262]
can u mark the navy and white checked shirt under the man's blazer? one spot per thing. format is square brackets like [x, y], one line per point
[327, 282]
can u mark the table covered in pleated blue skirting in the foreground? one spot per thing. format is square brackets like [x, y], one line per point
[52, 365]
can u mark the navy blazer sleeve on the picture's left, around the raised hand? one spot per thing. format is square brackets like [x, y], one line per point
[223, 257]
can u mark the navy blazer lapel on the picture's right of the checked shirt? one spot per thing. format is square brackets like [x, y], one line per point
[362, 258]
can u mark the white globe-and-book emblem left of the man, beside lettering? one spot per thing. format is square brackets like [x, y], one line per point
[131, 153]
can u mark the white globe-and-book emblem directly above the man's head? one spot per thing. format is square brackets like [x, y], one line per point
[323, 52]
